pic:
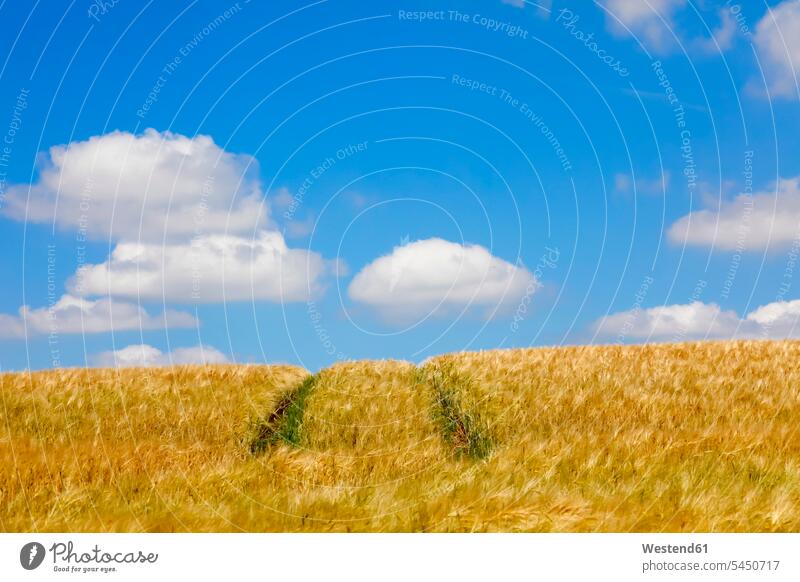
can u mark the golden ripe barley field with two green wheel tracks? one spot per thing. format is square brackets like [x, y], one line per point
[676, 438]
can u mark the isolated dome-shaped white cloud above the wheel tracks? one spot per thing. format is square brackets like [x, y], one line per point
[435, 275]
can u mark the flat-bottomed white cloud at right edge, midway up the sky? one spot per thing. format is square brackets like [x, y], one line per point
[766, 220]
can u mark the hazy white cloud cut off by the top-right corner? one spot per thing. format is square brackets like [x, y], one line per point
[777, 39]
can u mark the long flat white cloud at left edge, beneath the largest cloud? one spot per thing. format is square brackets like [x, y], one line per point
[71, 315]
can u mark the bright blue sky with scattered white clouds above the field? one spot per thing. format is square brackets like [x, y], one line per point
[292, 182]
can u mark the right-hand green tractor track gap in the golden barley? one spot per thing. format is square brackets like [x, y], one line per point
[462, 427]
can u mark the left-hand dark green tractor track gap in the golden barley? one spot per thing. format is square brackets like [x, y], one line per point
[284, 424]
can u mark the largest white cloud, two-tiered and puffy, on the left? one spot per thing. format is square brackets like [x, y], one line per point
[188, 220]
